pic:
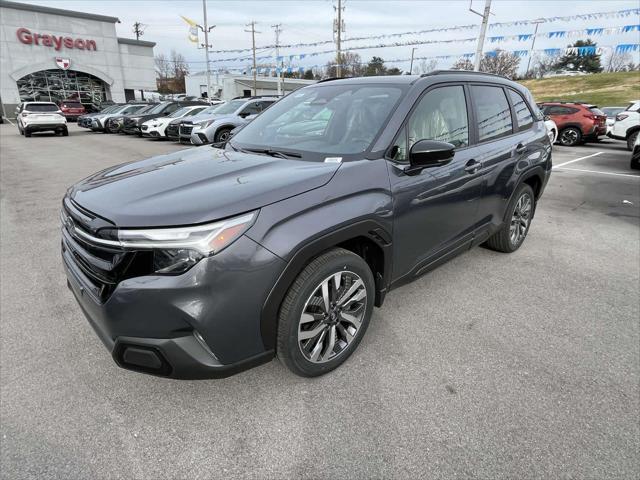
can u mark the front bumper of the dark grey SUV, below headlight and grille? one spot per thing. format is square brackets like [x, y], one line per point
[204, 323]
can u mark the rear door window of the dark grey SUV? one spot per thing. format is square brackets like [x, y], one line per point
[492, 109]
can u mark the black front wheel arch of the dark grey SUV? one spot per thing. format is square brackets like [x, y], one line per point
[366, 238]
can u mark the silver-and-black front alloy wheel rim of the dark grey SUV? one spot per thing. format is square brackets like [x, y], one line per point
[332, 317]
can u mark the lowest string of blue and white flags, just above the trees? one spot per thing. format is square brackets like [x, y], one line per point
[580, 51]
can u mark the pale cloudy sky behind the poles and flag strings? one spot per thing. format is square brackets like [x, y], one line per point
[312, 21]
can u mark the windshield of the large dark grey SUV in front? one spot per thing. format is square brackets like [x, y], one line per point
[341, 119]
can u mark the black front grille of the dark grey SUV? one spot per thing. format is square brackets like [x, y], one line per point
[101, 267]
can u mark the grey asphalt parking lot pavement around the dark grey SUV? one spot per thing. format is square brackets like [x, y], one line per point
[493, 366]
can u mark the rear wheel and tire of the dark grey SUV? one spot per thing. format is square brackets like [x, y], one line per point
[504, 239]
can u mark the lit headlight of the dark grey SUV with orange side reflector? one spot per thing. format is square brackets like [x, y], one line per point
[178, 249]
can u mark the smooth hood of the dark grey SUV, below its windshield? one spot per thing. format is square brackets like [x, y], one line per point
[193, 186]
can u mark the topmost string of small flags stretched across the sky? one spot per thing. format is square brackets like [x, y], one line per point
[568, 18]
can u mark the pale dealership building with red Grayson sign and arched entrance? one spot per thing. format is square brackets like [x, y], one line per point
[49, 54]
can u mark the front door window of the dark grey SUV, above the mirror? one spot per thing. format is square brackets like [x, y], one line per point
[441, 115]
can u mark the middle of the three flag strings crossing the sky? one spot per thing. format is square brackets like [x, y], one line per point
[494, 39]
